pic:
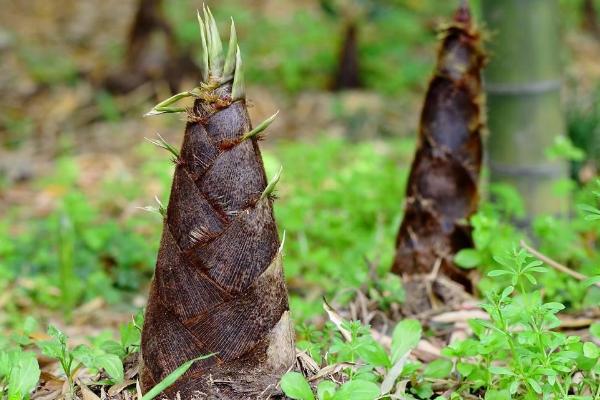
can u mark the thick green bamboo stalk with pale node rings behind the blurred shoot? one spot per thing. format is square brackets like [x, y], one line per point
[523, 84]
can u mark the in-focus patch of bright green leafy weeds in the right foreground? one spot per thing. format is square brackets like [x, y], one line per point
[516, 354]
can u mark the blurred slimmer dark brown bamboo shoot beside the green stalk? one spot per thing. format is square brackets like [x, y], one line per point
[442, 191]
